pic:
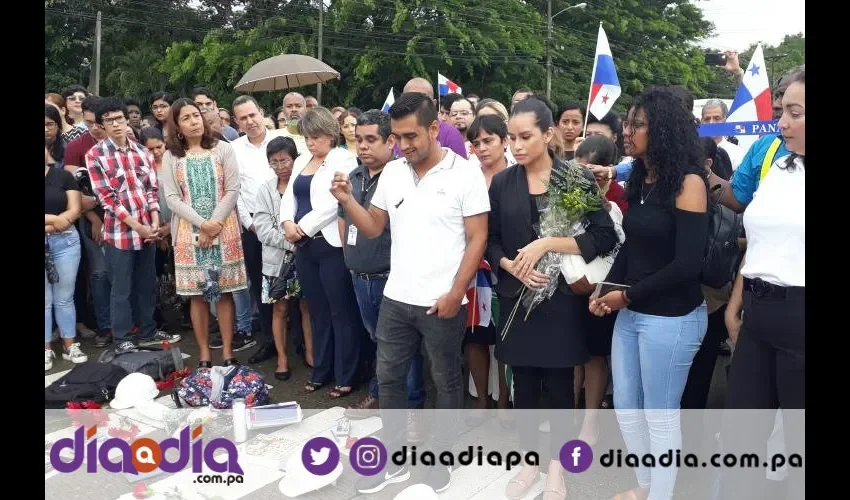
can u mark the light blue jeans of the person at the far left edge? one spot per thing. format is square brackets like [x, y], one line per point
[59, 297]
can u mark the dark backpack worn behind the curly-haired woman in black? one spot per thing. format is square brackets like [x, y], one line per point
[722, 253]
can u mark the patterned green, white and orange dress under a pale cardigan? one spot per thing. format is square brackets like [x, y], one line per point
[200, 179]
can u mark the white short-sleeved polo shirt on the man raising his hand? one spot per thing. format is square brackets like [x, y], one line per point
[427, 224]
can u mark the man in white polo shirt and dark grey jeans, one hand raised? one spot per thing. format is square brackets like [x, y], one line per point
[437, 205]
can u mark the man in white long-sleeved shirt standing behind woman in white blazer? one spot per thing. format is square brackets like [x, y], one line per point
[250, 150]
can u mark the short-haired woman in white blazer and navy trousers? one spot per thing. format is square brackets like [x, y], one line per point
[308, 212]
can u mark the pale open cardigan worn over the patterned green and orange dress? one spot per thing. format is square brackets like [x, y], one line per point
[180, 209]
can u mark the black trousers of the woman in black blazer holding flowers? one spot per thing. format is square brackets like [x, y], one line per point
[527, 386]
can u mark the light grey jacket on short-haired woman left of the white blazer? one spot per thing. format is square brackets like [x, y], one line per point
[268, 229]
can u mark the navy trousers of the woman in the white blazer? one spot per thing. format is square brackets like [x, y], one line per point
[337, 328]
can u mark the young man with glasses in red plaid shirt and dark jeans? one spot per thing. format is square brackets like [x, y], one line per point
[123, 175]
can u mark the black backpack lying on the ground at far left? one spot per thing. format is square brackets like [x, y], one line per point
[85, 382]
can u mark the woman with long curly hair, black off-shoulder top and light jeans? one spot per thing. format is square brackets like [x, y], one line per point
[662, 318]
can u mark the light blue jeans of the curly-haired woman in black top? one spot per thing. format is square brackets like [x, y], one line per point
[650, 360]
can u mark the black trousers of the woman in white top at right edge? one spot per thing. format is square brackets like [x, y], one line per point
[768, 372]
